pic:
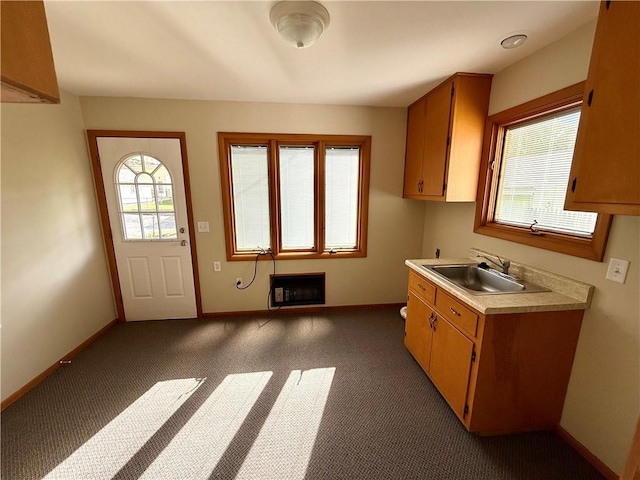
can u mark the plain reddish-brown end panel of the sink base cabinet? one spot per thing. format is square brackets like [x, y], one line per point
[519, 381]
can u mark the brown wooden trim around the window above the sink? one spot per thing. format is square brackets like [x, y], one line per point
[591, 248]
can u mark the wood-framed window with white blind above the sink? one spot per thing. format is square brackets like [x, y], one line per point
[525, 170]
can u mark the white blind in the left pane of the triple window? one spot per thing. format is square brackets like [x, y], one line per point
[250, 184]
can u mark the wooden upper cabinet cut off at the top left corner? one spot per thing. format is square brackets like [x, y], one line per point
[28, 73]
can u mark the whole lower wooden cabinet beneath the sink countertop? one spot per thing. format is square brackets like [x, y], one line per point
[499, 373]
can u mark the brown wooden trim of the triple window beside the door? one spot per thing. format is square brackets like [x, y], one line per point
[320, 142]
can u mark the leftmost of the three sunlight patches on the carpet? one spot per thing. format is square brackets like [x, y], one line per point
[104, 454]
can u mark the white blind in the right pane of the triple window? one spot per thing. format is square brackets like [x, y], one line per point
[342, 174]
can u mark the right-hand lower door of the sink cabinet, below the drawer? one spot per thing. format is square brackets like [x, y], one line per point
[450, 364]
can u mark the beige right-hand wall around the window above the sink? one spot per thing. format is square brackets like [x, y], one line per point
[603, 400]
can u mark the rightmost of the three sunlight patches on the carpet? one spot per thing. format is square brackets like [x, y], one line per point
[283, 447]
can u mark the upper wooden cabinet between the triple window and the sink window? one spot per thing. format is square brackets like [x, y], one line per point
[444, 139]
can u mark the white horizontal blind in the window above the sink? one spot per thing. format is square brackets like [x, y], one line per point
[534, 173]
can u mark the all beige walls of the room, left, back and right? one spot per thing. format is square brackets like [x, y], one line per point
[55, 288]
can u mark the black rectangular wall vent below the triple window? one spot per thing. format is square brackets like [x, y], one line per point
[297, 289]
